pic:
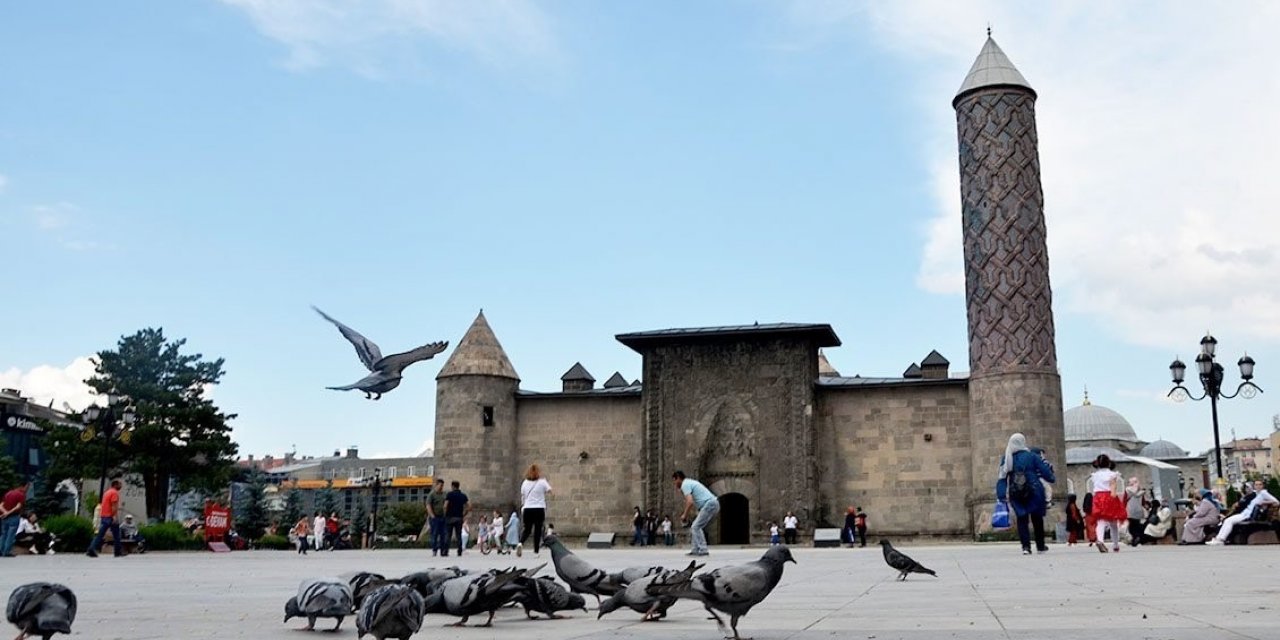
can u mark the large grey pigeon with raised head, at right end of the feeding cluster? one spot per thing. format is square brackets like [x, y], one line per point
[733, 589]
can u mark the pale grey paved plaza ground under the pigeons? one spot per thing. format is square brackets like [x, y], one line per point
[984, 592]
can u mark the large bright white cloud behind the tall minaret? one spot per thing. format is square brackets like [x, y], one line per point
[1158, 145]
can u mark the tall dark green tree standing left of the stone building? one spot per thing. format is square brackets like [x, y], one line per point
[180, 433]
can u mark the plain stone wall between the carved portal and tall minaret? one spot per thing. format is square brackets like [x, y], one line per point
[874, 454]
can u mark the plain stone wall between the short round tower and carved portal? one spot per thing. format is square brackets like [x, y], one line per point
[592, 493]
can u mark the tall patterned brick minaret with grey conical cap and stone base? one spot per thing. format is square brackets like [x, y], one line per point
[1014, 386]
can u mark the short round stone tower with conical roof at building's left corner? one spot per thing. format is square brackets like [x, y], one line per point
[476, 420]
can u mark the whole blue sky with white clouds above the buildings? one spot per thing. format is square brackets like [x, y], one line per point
[583, 170]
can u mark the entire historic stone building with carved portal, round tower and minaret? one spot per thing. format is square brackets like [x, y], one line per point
[760, 415]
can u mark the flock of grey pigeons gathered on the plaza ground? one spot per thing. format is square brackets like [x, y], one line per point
[395, 609]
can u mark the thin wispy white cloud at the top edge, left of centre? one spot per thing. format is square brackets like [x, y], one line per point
[371, 36]
